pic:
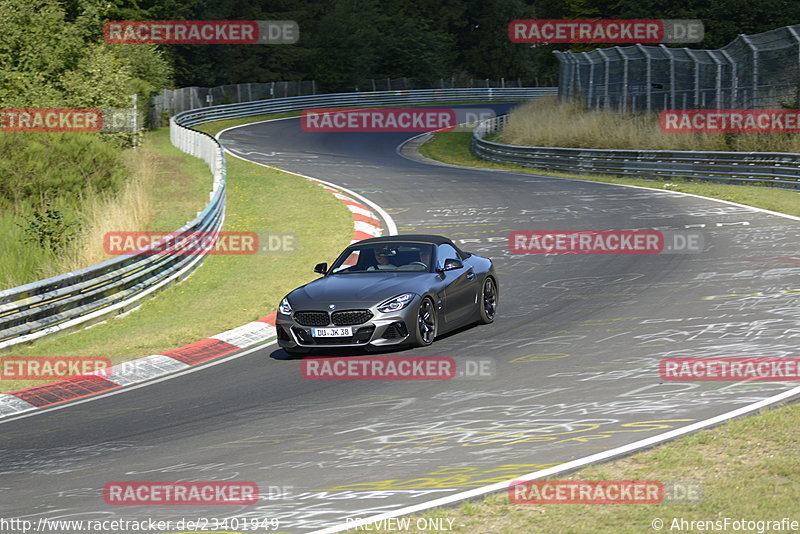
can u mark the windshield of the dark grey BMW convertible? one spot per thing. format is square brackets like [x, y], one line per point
[402, 257]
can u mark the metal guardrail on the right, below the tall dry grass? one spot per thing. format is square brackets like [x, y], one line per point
[761, 168]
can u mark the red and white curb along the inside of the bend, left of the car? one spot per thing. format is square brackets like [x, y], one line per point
[366, 224]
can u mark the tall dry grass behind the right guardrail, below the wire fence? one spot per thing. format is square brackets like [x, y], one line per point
[551, 122]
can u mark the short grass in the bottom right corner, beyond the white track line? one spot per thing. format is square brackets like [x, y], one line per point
[745, 469]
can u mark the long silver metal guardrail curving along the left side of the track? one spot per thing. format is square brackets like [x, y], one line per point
[115, 286]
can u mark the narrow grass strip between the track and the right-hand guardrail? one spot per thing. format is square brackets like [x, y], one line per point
[454, 148]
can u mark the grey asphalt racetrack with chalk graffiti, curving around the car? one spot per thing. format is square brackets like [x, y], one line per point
[576, 348]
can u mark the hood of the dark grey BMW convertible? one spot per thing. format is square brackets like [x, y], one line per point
[365, 289]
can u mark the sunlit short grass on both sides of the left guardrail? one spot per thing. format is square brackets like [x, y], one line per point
[226, 291]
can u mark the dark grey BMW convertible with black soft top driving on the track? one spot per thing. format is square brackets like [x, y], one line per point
[395, 290]
